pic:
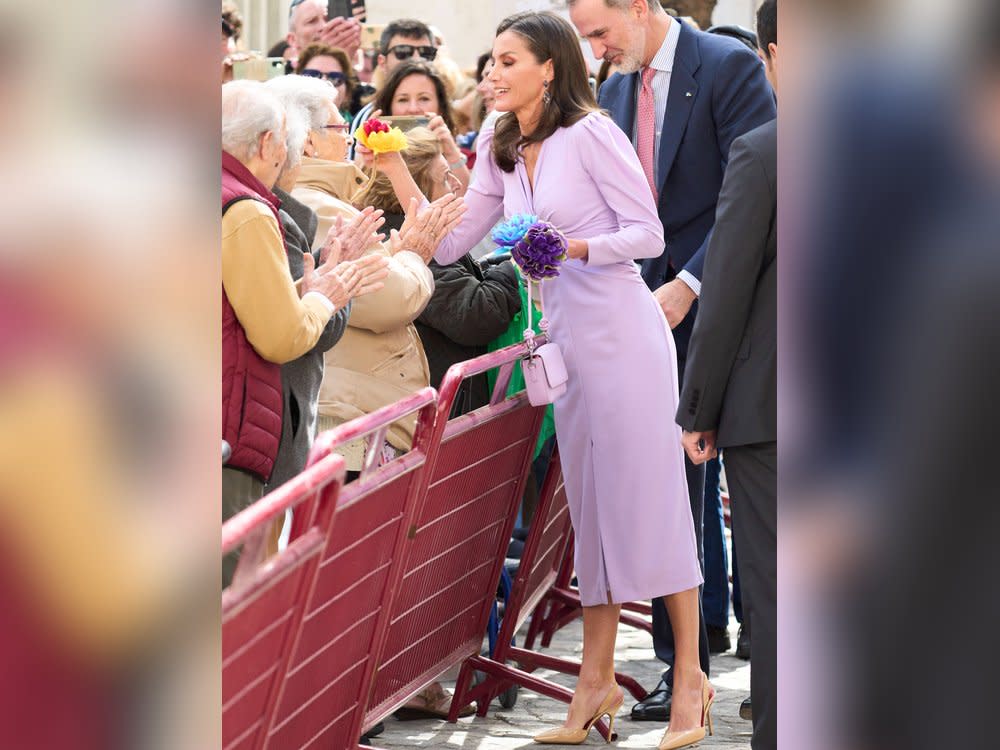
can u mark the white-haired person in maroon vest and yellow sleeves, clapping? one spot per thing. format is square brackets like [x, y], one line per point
[266, 320]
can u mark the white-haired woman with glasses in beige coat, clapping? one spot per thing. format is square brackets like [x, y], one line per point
[380, 358]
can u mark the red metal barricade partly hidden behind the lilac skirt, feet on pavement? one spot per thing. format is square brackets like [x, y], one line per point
[541, 561]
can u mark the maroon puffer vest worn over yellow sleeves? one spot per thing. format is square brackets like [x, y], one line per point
[251, 386]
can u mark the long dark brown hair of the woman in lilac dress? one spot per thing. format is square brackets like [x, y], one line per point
[548, 37]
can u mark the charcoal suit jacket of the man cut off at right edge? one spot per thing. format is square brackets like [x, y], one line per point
[731, 378]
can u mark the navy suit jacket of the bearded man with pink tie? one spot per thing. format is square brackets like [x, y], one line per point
[718, 92]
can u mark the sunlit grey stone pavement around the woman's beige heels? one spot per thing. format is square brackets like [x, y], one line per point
[503, 729]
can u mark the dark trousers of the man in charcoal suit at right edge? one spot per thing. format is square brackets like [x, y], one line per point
[752, 473]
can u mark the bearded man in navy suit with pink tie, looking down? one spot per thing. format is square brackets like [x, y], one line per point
[707, 91]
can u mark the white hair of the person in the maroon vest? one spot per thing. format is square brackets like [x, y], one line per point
[249, 111]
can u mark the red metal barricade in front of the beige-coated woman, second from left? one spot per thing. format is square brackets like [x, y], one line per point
[335, 657]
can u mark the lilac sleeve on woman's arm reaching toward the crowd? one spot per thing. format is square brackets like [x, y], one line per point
[484, 199]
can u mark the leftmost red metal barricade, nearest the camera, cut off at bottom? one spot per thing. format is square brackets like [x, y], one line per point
[262, 608]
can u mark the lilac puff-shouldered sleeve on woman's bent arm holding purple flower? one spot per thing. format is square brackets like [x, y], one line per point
[611, 162]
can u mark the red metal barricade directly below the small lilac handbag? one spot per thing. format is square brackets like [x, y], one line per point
[455, 550]
